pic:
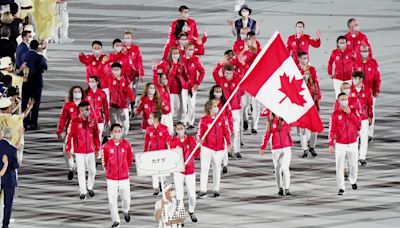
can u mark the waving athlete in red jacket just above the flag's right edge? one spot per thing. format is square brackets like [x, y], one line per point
[301, 42]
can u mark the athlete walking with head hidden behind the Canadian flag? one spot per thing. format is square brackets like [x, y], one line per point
[278, 133]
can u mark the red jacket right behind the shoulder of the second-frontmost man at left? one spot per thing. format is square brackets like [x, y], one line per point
[99, 104]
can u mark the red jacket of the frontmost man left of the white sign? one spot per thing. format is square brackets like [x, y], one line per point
[117, 159]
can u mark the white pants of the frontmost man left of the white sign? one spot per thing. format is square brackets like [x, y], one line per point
[115, 188]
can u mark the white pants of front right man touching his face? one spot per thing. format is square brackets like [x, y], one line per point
[341, 151]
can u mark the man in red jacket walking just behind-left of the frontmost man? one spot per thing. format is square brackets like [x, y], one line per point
[83, 133]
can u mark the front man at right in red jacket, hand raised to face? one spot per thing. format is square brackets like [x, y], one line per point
[344, 126]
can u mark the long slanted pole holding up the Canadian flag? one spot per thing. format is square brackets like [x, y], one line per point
[233, 94]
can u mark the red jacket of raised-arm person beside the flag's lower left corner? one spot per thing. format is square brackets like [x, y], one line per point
[229, 86]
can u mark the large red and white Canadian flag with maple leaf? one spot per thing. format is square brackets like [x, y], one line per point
[275, 81]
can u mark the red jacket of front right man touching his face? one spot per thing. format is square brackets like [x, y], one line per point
[343, 127]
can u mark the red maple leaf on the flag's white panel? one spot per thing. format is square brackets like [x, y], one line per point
[292, 90]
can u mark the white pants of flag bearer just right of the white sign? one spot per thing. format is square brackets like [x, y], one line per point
[190, 181]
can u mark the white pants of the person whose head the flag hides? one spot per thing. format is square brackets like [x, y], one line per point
[281, 159]
